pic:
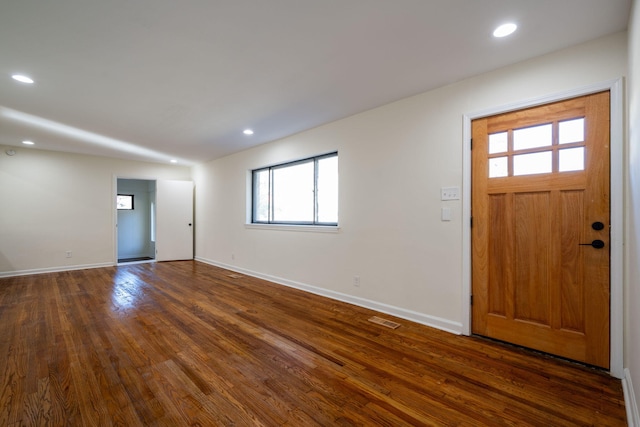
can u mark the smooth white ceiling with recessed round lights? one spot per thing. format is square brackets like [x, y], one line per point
[161, 79]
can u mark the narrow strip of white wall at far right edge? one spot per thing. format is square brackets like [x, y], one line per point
[632, 342]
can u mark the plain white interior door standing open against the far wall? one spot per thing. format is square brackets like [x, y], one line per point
[174, 220]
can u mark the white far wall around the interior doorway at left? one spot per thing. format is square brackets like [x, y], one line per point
[54, 202]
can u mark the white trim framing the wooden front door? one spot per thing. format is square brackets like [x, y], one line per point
[615, 87]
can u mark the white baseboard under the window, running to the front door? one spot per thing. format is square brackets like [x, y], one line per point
[424, 319]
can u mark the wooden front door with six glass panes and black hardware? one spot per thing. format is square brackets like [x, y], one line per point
[540, 233]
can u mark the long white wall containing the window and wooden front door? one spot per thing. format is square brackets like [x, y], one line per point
[393, 160]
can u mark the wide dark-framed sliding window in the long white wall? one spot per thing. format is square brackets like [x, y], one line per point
[304, 192]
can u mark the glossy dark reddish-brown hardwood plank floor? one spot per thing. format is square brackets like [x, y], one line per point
[183, 343]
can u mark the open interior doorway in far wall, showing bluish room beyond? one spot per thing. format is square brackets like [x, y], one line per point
[136, 213]
